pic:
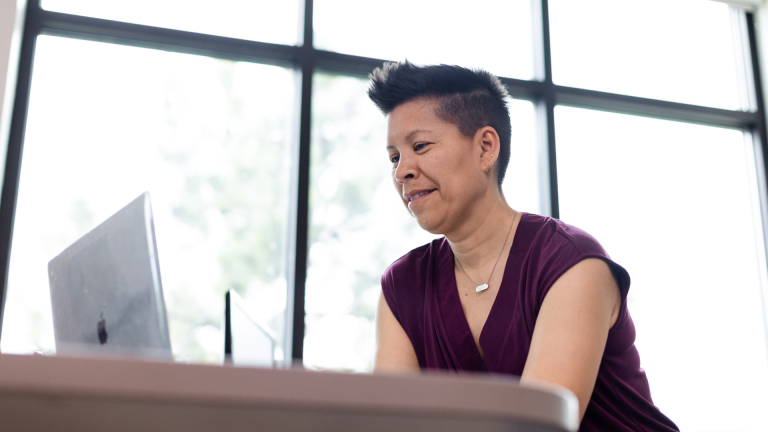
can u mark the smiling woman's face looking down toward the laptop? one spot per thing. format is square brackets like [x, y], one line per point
[437, 171]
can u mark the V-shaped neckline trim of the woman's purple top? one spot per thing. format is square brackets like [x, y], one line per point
[460, 333]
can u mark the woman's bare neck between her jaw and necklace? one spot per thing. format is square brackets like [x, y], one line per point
[482, 235]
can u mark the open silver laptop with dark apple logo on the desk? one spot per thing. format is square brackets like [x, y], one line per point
[106, 294]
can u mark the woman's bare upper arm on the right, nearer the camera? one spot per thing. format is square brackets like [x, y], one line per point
[572, 327]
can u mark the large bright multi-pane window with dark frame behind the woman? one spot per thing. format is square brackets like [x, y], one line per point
[249, 124]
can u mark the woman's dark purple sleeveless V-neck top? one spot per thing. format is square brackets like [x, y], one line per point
[421, 291]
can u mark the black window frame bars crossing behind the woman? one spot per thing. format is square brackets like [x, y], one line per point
[305, 59]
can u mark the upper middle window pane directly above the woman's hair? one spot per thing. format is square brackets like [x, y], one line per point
[428, 31]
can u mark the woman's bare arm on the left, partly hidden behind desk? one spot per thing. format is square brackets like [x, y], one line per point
[394, 351]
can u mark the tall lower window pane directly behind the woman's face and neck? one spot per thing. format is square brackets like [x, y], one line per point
[358, 225]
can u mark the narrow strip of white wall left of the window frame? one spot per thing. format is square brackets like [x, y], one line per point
[11, 26]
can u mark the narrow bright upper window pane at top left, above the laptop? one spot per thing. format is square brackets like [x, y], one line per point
[259, 20]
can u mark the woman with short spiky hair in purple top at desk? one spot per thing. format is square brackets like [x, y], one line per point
[503, 291]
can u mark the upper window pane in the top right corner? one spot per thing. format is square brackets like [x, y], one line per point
[676, 50]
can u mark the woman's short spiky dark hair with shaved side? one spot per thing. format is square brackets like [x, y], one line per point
[470, 99]
